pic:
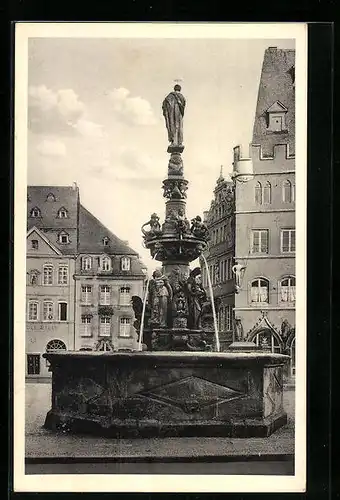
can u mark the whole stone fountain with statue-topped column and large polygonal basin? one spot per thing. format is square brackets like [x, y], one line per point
[177, 383]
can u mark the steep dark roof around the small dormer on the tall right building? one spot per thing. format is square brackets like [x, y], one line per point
[276, 88]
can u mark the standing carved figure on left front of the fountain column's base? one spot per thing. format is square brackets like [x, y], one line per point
[160, 296]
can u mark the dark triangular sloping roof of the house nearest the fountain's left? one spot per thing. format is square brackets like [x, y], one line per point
[92, 232]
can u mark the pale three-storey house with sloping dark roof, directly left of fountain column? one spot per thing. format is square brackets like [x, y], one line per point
[108, 274]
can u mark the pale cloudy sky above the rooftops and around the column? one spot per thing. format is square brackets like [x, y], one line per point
[95, 118]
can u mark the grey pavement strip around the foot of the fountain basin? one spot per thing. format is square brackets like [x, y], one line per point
[43, 443]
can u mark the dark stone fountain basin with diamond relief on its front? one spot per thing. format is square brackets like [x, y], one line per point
[144, 394]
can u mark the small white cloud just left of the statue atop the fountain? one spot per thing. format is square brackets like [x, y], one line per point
[131, 110]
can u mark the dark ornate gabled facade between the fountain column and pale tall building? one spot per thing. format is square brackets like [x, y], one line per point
[220, 255]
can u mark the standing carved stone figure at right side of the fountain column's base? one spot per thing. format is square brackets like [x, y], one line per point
[196, 298]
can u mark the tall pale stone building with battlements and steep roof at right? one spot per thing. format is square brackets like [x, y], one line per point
[265, 213]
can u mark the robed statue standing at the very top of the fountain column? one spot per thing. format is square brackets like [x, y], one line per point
[173, 111]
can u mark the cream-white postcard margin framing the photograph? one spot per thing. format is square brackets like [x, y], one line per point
[156, 483]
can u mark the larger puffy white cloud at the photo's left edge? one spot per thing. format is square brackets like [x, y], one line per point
[59, 112]
